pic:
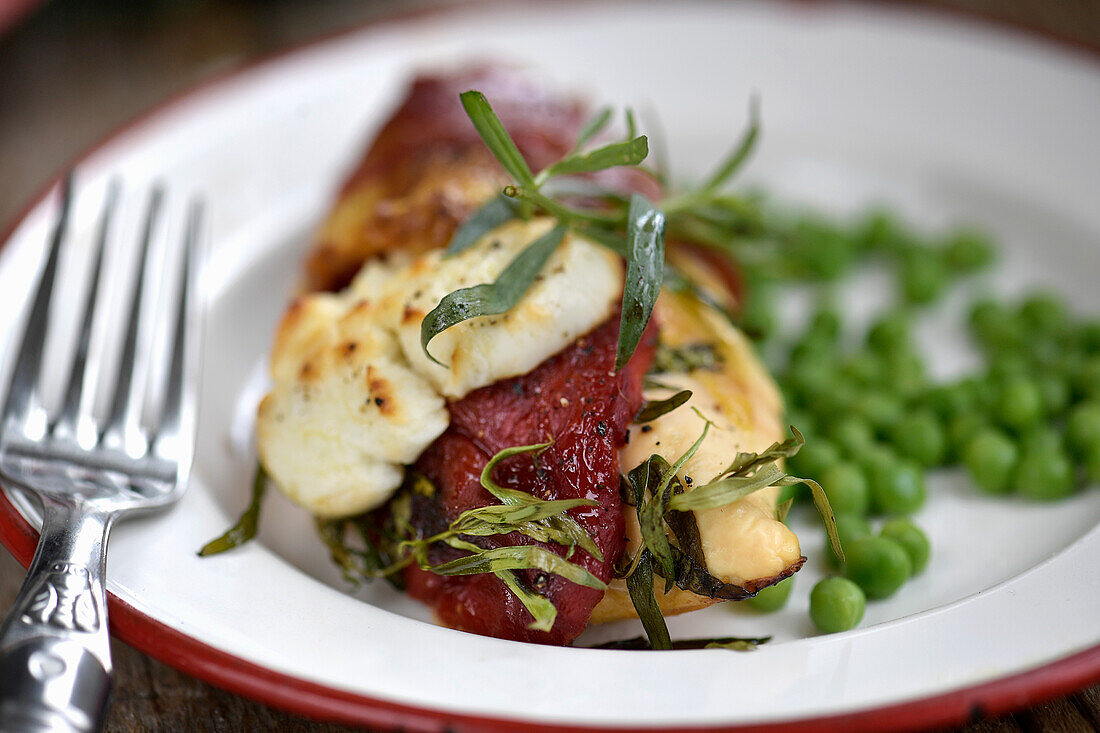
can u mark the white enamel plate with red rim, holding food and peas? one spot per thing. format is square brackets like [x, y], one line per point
[949, 121]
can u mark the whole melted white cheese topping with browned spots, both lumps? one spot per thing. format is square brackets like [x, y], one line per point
[356, 399]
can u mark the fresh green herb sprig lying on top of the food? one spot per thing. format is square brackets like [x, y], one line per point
[633, 227]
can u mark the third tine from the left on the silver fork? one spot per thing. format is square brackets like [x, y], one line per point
[123, 430]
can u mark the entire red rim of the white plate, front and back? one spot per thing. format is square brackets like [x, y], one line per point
[320, 703]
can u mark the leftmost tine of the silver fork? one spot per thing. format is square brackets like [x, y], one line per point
[24, 393]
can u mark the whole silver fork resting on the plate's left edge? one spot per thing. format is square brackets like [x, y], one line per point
[56, 662]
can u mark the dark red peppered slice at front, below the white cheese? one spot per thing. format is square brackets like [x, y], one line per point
[578, 404]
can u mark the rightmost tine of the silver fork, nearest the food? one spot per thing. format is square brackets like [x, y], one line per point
[174, 436]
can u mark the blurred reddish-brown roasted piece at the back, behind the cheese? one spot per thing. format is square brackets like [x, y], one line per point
[427, 170]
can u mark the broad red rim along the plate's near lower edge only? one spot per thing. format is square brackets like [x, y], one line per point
[320, 703]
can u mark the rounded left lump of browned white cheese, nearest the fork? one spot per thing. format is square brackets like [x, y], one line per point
[347, 411]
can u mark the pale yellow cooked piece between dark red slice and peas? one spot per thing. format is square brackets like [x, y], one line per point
[743, 543]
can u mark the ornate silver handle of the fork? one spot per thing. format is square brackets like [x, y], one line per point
[56, 660]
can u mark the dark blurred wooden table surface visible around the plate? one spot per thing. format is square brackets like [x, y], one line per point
[74, 70]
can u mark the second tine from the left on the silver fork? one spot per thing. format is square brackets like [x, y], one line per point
[75, 418]
